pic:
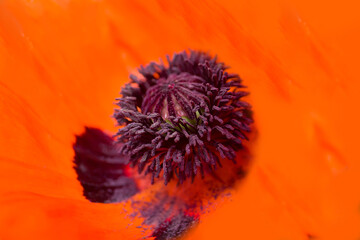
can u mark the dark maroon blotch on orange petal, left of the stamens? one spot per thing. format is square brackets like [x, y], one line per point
[101, 170]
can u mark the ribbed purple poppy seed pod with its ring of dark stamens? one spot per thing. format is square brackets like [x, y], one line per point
[181, 119]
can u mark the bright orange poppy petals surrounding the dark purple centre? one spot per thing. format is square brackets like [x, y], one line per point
[63, 63]
